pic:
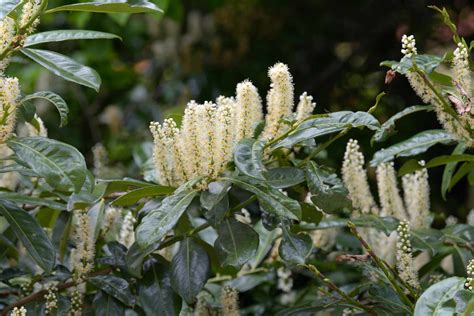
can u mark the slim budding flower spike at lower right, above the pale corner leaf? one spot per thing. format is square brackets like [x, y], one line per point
[405, 263]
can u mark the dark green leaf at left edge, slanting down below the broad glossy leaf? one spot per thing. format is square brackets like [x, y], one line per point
[31, 235]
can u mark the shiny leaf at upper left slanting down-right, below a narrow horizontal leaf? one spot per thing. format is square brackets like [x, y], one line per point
[65, 67]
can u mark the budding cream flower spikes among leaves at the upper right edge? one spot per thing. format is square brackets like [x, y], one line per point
[460, 126]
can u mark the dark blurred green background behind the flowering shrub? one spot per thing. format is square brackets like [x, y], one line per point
[201, 49]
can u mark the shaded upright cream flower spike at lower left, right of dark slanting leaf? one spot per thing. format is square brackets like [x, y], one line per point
[83, 255]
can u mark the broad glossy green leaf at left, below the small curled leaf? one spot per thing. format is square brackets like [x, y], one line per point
[62, 165]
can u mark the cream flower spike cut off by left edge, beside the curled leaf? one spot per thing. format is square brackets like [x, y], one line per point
[9, 94]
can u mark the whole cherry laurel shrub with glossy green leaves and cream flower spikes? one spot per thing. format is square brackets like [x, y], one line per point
[237, 212]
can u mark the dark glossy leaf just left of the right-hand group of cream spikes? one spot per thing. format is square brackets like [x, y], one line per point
[328, 191]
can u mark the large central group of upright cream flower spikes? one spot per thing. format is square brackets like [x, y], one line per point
[204, 143]
